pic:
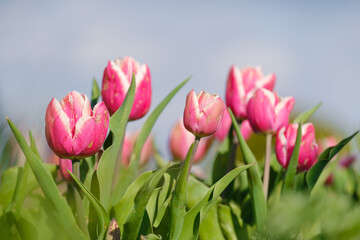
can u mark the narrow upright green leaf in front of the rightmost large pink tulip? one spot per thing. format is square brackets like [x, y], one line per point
[292, 167]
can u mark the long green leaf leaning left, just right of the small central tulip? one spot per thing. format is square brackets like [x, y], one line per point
[258, 202]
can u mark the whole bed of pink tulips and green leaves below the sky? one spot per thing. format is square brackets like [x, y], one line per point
[242, 167]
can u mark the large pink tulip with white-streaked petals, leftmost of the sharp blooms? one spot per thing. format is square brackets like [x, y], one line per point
[72, 129]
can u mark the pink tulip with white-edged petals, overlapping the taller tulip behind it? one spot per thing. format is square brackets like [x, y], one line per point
[267, 113]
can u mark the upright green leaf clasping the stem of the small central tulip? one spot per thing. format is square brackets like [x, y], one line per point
[180, 198]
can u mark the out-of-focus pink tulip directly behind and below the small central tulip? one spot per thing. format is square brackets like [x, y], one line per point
[181, 140]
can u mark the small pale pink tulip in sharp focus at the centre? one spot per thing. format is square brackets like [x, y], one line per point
[203, 113]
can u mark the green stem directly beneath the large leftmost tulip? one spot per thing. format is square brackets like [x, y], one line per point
[78, 200]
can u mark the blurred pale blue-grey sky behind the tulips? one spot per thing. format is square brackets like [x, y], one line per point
[49, 49]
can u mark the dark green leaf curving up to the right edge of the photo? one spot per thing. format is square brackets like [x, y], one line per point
[316, 170]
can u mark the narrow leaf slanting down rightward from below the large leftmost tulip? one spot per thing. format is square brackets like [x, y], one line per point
[102, 215]
